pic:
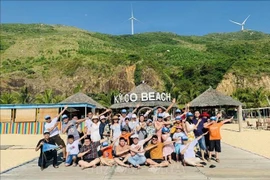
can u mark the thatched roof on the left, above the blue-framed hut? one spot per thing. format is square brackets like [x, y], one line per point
[82, 98]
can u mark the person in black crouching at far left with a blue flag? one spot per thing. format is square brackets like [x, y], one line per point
[48, 155]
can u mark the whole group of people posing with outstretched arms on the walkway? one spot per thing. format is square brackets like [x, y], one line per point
[129, 140]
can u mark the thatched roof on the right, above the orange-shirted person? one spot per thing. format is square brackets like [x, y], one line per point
[213, 98]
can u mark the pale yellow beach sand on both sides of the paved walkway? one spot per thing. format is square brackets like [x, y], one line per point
[256, 141]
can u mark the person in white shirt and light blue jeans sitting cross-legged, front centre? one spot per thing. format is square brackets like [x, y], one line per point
[137, 152]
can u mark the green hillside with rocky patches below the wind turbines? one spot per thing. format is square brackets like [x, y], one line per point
[66, 60]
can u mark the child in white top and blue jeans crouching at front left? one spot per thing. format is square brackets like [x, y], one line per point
[72, 150]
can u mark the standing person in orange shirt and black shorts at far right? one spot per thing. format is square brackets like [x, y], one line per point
[214, 135]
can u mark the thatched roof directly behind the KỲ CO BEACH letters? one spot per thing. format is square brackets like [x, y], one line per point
[138, 90]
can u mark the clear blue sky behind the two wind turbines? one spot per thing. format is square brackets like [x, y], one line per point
[111, 17]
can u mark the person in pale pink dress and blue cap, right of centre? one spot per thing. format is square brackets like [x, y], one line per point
[169, 148]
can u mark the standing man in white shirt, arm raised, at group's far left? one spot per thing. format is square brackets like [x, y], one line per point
[51, 125]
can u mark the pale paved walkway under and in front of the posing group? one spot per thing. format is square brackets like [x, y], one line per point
[235, 164]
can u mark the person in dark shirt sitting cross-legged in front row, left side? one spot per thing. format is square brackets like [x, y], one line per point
[89, 153]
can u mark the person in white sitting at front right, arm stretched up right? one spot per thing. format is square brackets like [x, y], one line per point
[187, 149]
